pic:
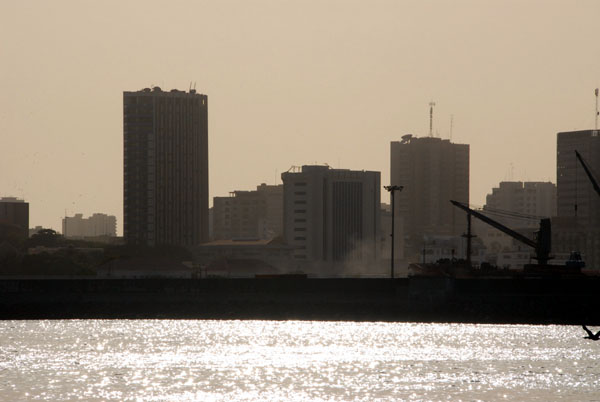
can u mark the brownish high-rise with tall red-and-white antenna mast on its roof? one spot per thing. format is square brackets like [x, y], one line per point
[433, 172]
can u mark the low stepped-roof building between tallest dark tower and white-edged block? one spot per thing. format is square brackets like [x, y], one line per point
[249, 214]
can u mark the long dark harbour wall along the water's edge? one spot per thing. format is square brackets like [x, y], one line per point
[531, 300]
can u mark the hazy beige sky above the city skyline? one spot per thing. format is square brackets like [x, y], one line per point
[289, 83]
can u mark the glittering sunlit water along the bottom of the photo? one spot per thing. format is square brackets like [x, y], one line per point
[175, 360]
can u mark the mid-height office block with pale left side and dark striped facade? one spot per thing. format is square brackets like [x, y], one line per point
[332, 215]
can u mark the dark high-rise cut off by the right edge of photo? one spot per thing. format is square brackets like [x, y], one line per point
[577, 225]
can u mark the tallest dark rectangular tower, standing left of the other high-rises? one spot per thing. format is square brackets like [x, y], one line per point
[165, 167]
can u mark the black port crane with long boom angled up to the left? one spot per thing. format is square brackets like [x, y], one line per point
[541, 244]
